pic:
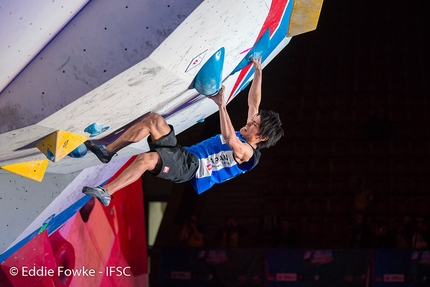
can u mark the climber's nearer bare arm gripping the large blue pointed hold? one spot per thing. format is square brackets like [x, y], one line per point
[242, 151]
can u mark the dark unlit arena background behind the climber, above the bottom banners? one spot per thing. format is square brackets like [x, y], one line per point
[353, 97]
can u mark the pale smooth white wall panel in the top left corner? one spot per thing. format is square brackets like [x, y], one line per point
[26, 27]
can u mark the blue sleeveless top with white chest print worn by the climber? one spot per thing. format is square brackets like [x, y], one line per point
[217, 163]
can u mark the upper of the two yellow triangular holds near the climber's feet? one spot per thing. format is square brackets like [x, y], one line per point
[59, 144]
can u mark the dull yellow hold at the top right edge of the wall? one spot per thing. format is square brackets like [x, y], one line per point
[304, 17]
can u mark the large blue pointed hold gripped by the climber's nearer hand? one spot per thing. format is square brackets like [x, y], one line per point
[208, 80]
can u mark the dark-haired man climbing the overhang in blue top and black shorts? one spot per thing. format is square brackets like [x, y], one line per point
[212, 161]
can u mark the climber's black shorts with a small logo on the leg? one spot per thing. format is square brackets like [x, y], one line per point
[177, 164]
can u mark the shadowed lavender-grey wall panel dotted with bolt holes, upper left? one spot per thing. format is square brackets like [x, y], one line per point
[104, 39]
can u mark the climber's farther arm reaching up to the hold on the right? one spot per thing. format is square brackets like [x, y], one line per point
[254, 94]
